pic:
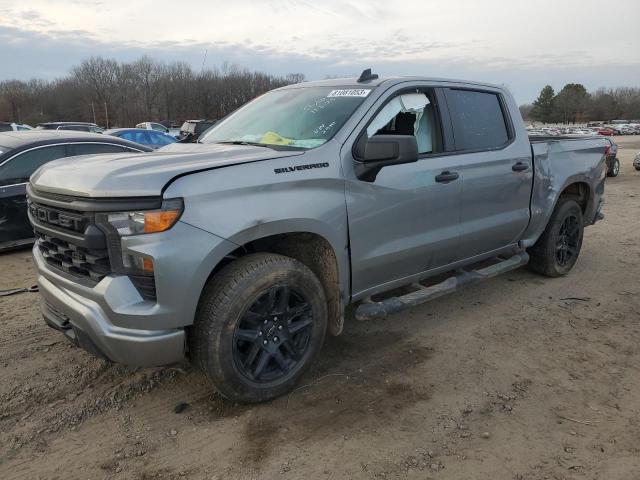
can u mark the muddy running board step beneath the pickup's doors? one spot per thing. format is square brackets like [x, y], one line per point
[369, 310]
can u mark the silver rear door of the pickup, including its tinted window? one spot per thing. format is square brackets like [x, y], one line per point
[496, 168]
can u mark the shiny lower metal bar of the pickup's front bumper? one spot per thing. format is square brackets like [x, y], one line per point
[86, 325]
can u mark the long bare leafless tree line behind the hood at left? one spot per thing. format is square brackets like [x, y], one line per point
[113, 93]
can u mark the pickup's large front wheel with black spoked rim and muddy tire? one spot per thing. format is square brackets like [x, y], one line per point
[260, 322]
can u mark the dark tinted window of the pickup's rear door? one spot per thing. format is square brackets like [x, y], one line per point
[478, 120]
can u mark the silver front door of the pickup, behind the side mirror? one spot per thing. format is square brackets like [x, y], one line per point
[406, 220]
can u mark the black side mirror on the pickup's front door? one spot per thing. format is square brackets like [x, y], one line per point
[384, 150]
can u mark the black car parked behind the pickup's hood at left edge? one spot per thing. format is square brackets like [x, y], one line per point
[21, 153]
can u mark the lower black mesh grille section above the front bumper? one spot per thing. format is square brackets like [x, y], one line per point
[77, 261]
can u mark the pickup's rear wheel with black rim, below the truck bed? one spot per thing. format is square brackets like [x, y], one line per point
[556, 251]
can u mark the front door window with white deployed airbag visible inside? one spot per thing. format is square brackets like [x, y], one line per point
[409, 114]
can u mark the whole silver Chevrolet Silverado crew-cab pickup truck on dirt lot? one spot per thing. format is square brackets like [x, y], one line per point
[241, 251]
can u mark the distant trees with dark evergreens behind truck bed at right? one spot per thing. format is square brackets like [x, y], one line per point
[574, 104]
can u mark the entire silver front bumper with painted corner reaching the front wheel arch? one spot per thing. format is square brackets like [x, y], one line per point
[112, 320]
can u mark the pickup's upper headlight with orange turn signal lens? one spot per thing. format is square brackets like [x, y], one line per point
[150, 221]
